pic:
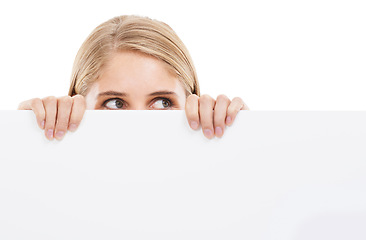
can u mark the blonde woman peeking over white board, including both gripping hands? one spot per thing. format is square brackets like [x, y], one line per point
[132, 62]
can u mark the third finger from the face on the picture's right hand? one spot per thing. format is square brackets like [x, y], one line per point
[221, 106]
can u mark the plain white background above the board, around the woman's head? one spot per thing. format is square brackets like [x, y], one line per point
[276, 55]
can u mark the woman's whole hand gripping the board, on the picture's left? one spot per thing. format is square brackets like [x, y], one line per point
[56, 115]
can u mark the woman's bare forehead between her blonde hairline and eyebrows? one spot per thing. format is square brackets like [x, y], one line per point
[136, 73]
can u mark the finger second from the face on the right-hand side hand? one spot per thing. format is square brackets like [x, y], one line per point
[206, 106]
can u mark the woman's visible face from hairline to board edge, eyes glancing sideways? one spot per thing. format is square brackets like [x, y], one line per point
[136, 81]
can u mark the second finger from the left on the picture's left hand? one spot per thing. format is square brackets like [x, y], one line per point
[50, 106]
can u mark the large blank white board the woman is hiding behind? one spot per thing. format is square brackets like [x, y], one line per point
[147, 175]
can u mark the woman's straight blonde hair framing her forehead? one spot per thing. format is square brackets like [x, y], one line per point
[135, 33]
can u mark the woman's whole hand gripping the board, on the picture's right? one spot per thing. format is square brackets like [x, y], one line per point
[212, 115]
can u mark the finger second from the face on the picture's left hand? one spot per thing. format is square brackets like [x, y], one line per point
[64, 105]
